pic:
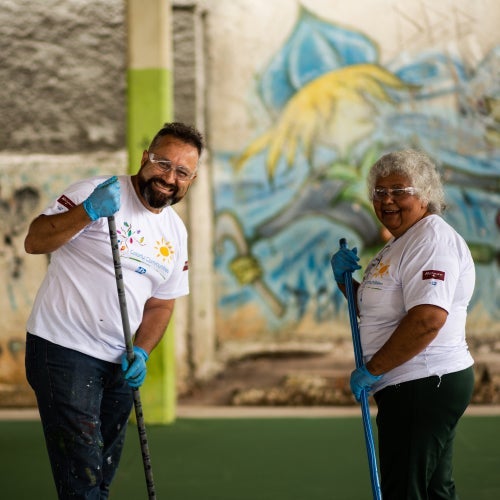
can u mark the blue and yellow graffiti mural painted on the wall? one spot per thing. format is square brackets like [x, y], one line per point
[285, 200]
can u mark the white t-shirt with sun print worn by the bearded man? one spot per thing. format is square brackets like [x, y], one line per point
[77, 305]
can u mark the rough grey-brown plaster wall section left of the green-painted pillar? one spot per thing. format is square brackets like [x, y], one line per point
[63, 76]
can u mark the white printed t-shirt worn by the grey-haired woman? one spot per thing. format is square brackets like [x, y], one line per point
[429, 264]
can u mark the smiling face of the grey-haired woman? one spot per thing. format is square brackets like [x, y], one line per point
[398, 214]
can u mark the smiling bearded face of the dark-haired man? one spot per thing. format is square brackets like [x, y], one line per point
[155, 187]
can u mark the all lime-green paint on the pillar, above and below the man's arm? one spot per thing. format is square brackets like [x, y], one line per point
[149, 95]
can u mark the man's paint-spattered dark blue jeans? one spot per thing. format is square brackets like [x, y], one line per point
[84, 406]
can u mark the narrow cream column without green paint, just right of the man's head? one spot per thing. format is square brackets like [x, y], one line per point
[197, 349]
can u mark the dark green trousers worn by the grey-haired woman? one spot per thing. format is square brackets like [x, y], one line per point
[416, 424]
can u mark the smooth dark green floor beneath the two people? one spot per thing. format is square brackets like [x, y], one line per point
[248, 459]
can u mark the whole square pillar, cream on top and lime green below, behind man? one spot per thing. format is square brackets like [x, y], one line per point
[149, 106]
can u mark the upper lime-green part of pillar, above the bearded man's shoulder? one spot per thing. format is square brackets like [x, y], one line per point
[149, 96]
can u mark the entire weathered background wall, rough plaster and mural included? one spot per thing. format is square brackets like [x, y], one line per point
[296, 100]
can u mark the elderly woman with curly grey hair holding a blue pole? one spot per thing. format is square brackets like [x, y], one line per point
[412, 305]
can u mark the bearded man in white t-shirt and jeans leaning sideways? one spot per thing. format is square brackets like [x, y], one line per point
[75, 349]
